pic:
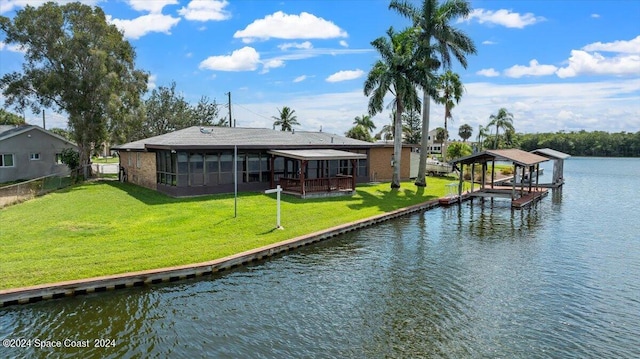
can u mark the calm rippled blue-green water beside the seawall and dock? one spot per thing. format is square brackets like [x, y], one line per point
[558, 280]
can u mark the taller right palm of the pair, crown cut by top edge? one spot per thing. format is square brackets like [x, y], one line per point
[437, 41]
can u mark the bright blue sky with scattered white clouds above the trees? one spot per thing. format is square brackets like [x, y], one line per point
[556, 65]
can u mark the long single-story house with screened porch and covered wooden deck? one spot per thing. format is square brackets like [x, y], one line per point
[197, 161]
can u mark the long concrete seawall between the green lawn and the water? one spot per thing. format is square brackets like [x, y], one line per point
[126, 280]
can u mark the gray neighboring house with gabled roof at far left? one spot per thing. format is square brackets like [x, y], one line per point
[29, 151]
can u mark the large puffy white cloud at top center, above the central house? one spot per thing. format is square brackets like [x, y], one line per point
[283, 26]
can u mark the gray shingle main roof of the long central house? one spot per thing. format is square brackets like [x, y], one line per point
[227, 137]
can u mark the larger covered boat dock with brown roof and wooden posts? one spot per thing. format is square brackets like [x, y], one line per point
[525, 163]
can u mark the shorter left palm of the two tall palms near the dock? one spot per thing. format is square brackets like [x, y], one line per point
[393, 73]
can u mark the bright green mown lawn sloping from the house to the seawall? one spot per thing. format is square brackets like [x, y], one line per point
[105, 228]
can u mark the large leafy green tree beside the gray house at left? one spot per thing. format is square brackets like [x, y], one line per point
[75, 62]
